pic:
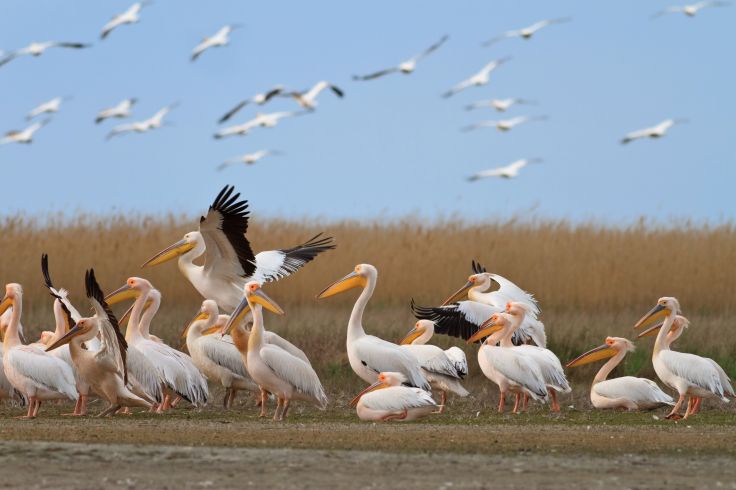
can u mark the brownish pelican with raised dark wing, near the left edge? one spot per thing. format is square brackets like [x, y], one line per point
[104, 370]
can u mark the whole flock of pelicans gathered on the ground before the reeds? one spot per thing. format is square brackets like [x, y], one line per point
[89, 356]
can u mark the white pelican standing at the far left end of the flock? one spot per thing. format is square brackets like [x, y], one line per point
[34, 373]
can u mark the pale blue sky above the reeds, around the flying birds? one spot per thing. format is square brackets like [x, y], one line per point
[392, 146]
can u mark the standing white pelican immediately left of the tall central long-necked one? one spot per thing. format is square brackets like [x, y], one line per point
[275, 370]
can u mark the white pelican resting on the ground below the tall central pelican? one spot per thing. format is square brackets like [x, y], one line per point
[387, 399]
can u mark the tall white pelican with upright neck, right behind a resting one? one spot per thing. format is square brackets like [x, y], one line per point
[369, 355]
